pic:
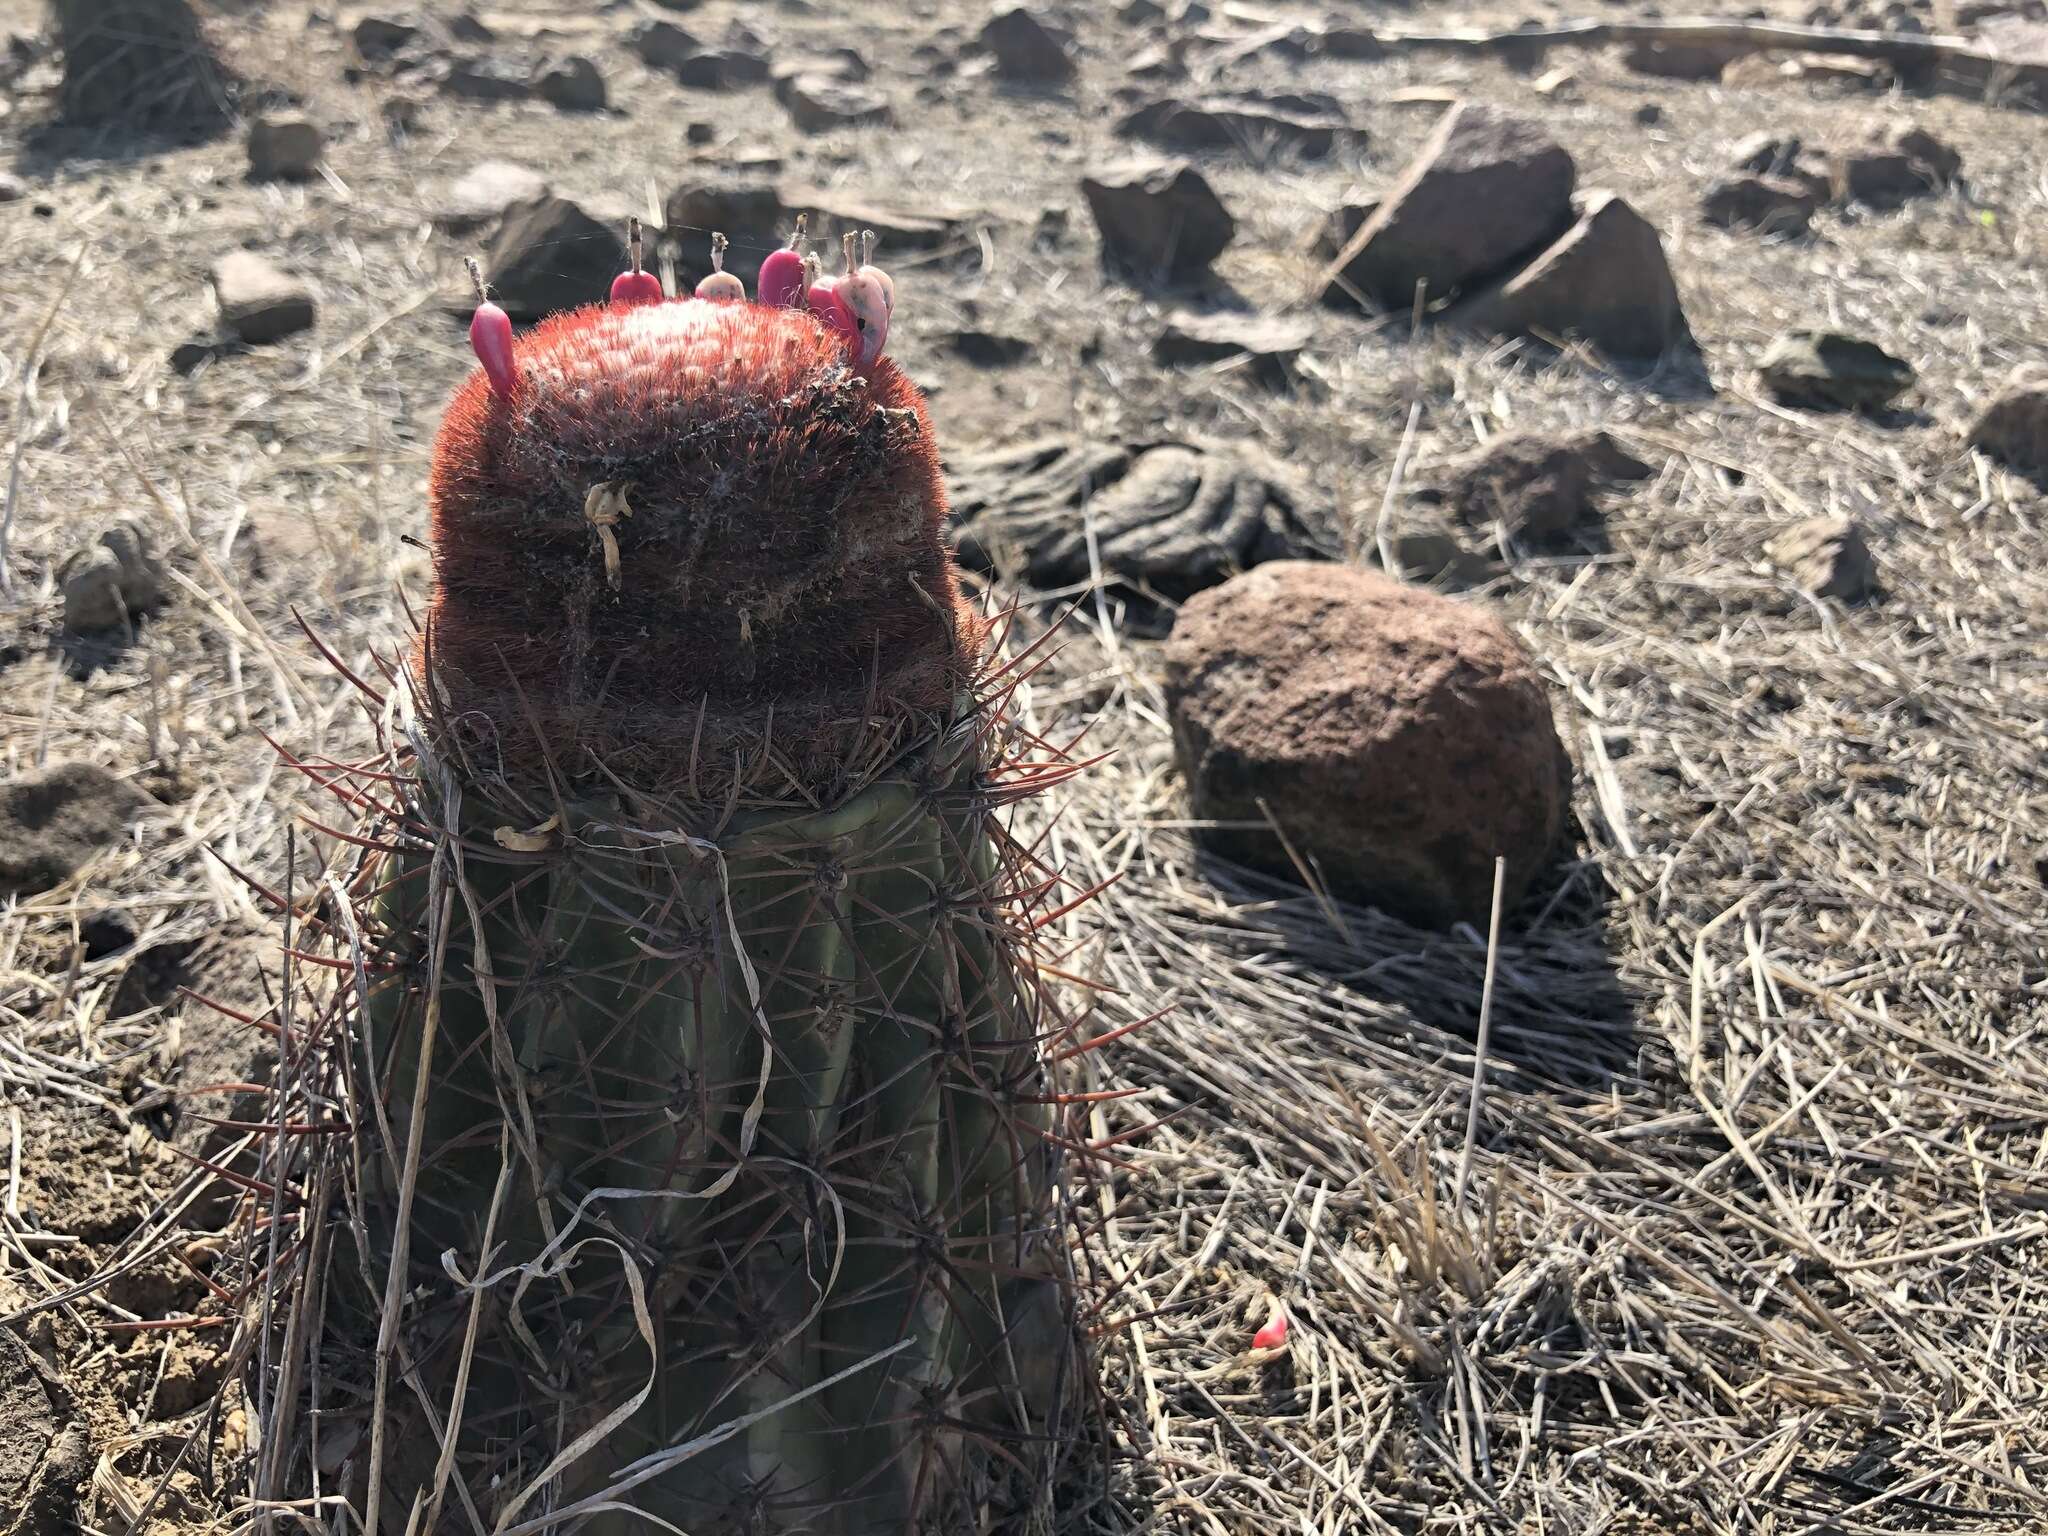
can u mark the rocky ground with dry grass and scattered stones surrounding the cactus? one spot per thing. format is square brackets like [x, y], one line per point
[1734, 437]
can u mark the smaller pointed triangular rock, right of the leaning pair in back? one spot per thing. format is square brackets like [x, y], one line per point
[1607, 282]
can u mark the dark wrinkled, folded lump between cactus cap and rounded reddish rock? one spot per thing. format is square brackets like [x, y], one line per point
[1170, 517]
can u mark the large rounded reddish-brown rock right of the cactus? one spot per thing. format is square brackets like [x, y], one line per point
[1400, 738]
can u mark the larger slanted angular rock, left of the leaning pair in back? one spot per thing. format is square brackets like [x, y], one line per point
[1482, 194]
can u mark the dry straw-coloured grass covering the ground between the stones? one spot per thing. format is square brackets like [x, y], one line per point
[1752, 1236]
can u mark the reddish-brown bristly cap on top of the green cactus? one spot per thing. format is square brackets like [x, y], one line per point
[783, 579]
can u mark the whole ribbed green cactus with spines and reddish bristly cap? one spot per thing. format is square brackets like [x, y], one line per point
[710, 1162]
